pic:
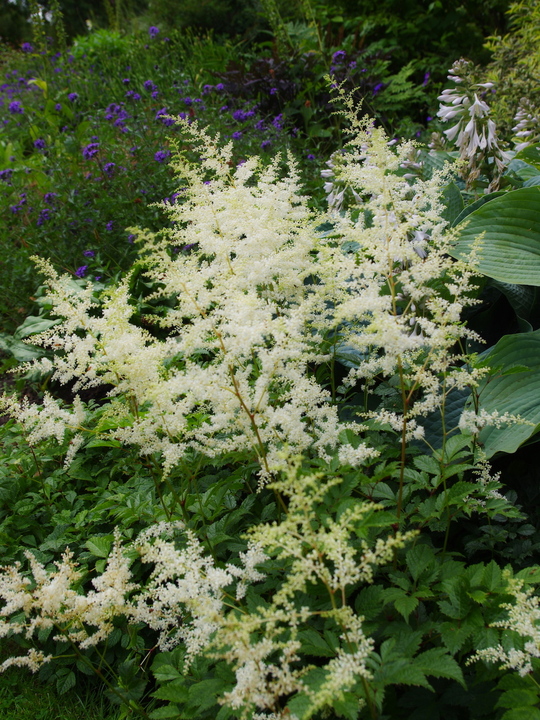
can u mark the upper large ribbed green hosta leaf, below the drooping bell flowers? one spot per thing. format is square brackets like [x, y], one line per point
[511, 246]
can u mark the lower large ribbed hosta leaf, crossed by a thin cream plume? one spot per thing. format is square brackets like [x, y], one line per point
[512, 387]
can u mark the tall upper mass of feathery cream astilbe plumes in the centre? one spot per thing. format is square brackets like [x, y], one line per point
[260, 298]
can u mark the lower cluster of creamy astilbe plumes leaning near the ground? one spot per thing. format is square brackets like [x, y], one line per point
[190, 600]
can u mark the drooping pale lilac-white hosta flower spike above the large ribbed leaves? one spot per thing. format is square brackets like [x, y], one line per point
[473, 132]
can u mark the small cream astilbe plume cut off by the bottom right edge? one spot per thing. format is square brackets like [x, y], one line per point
[523, 618]
